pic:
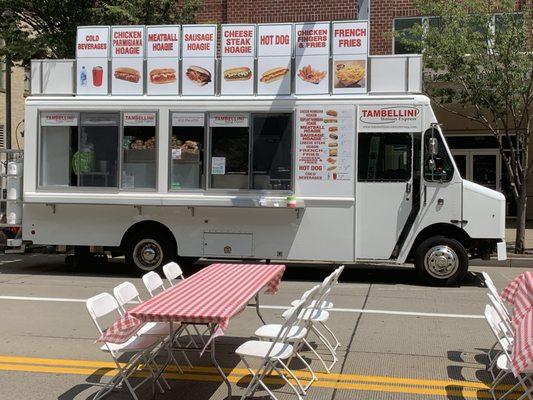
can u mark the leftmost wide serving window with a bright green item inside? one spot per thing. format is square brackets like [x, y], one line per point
[79, 150]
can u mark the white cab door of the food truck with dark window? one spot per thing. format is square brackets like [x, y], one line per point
[384, 190]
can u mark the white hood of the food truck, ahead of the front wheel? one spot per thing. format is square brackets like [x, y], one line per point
[484, 209]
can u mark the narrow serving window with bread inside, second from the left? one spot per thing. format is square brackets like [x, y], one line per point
[139, 150]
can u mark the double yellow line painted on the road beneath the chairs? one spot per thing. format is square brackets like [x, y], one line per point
[338, 381]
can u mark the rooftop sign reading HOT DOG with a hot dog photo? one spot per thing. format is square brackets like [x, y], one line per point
[274, 55]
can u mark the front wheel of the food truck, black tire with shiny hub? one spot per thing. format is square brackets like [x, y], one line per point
[441, 261]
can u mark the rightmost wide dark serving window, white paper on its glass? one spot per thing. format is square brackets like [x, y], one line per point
[251, 151]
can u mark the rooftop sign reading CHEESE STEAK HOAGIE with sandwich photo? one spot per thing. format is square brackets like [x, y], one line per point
[237, 47]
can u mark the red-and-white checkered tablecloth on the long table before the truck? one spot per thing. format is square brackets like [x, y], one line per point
[213, 295]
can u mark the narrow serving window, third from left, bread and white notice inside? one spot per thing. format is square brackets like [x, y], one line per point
[186, 150]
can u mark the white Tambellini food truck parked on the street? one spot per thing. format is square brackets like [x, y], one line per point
[339, 178]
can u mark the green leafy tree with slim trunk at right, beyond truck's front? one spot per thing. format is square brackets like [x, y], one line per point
[479, 65]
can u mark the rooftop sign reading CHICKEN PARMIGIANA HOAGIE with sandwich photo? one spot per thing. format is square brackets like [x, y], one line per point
[127, 60]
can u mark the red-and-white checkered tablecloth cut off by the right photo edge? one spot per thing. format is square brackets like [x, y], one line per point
[519, 293]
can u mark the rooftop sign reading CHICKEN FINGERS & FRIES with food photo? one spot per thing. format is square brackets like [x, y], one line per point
[312, 58]
